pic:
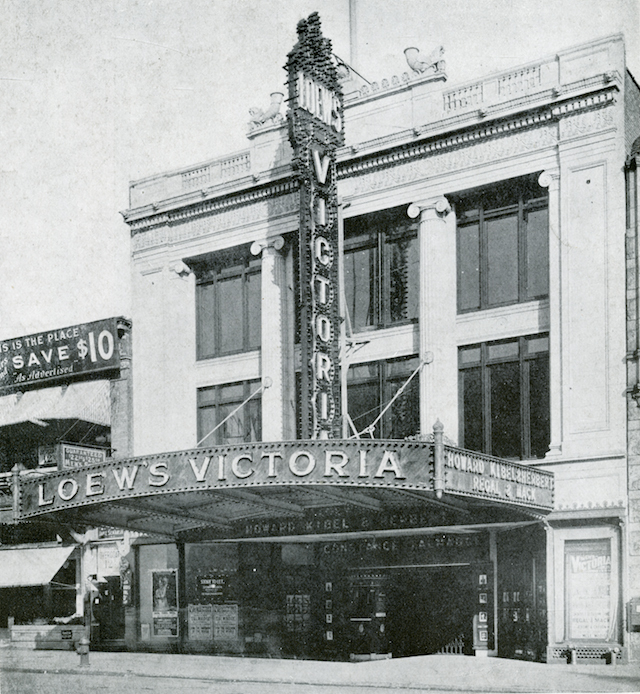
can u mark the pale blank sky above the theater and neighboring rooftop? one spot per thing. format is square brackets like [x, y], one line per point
[97, 93]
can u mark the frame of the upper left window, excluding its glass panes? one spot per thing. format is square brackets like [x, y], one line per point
[211, 274]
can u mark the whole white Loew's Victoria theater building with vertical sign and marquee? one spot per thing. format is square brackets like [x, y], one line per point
[380, 372]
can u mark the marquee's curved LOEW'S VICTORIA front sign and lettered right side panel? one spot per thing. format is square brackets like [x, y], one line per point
[349, 466]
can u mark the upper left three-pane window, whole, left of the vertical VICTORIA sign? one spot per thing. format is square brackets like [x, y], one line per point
[228, 305]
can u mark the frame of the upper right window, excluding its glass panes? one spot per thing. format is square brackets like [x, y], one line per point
[481, 208]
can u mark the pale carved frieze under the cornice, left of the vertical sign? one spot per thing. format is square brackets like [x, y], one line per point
[181, 227]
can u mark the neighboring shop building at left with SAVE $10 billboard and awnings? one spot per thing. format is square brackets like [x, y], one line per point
[64, 404]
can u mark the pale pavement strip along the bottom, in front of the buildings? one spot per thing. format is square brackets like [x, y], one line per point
[443, 672]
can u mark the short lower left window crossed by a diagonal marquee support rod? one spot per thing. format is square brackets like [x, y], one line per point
[216, 403]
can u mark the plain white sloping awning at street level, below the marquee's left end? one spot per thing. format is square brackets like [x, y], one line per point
[33, 566]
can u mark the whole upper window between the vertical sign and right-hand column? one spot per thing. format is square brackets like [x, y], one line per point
[381, 269]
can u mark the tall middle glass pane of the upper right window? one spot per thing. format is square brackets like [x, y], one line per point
[502, 259]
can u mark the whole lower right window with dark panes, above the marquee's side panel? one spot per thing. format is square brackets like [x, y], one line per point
[504, 394]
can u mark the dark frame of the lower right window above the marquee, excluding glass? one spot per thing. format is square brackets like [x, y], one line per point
[524, 358]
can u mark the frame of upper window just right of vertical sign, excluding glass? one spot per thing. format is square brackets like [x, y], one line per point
[376, 232]
